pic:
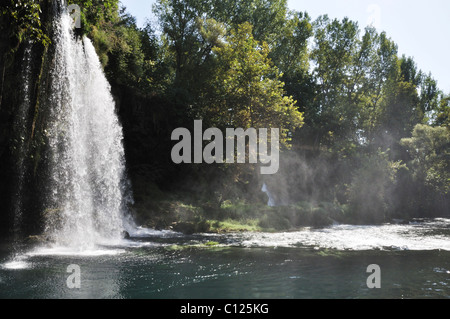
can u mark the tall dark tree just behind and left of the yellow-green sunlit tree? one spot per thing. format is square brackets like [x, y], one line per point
[190, 34]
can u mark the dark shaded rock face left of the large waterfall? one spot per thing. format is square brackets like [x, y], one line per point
[30, 133]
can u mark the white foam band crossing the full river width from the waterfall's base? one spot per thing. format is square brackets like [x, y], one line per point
[418, 236]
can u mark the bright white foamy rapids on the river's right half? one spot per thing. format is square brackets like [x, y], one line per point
[432, 235]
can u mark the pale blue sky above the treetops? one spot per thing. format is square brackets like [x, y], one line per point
[420, 28]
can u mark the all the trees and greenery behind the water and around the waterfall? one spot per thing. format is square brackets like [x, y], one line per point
[365, 133]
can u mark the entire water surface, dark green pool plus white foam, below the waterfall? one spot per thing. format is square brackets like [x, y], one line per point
[325, 263]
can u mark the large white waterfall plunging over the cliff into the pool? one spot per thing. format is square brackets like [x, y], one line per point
[87, 197]
